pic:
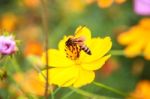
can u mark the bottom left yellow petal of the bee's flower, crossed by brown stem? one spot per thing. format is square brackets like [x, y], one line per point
[62, 77]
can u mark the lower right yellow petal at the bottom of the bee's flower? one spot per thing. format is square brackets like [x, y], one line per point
[85, 77]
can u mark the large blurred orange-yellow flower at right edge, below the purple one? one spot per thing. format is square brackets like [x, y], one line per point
[137, 39]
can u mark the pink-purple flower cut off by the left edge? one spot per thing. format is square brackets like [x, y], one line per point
[7, 45]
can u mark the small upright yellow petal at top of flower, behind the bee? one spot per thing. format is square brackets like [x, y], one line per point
[83, 31]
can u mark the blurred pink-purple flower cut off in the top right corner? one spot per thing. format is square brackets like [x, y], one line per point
[142, 7]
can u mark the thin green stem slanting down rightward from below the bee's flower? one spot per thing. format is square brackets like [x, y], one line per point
[109, 88]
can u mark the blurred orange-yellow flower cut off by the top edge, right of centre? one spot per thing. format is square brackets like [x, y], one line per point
[106, 3]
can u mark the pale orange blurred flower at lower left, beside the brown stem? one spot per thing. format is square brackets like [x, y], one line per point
[30, 82]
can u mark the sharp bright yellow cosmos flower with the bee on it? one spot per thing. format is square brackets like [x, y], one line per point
[77, 70]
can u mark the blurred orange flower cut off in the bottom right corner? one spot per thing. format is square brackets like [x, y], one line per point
[142, 90]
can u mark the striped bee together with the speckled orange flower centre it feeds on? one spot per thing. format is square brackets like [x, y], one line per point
[75, 45]
